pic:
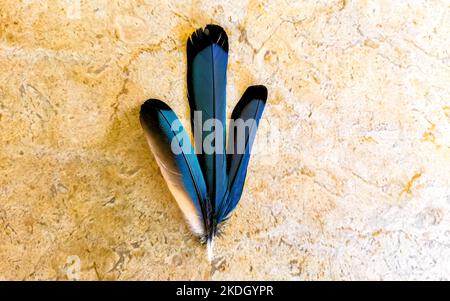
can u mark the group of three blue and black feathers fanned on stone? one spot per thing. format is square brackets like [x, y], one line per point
[207, 187]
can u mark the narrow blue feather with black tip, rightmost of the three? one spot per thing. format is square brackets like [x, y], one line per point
[243, 125]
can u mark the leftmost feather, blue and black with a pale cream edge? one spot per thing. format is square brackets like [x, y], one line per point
[177, 161]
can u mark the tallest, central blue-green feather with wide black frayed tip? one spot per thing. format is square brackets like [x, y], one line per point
[207, 53]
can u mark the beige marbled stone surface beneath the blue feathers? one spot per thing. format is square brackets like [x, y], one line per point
[359, 187]
